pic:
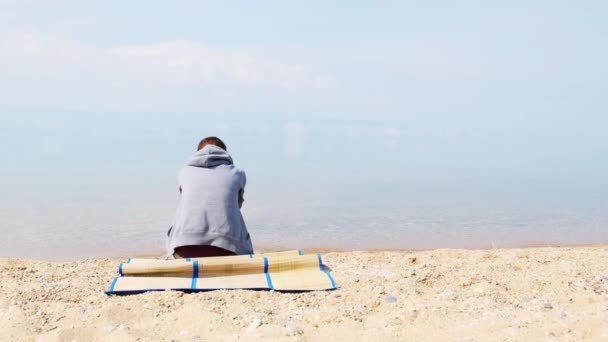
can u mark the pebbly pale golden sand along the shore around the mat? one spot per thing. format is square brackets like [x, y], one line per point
[555, 293]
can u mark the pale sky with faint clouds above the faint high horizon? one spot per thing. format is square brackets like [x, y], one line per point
[346, 59]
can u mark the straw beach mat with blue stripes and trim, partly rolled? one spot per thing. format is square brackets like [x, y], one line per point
[283, 271]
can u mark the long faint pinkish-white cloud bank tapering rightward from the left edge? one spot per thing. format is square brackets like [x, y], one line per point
[182, 61]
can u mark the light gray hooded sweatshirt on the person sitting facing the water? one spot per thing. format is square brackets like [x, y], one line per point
[208, 212]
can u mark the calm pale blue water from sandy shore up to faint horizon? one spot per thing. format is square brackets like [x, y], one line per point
[93, 185]
